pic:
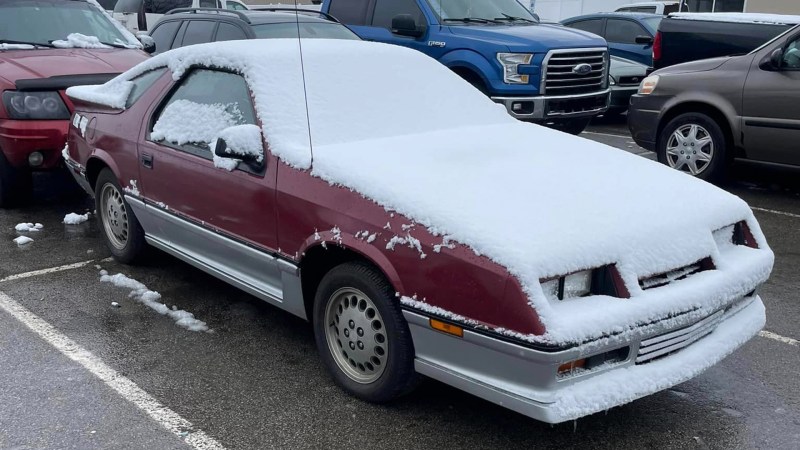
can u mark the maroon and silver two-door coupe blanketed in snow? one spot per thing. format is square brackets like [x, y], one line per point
[387, 201]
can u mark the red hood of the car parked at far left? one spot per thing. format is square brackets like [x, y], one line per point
[33, 64]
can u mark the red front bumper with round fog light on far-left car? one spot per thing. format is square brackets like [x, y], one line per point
[20, 138]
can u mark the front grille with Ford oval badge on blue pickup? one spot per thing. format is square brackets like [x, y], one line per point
[562, 77]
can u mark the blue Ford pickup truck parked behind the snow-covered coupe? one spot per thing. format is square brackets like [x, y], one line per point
[542, 73]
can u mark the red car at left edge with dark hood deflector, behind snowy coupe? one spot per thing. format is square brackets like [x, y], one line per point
[47, 46]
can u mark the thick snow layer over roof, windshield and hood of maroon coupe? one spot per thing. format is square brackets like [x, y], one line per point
[402, 130]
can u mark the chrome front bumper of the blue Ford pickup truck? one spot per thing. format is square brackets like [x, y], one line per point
[545, 108]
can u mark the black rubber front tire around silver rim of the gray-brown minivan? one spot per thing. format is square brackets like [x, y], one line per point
[712, 171]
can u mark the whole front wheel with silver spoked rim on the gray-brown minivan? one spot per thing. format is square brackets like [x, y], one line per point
[694, 143]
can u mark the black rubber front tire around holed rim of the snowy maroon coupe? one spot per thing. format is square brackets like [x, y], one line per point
[398, 376]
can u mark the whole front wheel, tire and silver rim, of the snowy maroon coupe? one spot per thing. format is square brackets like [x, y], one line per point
[361, 334]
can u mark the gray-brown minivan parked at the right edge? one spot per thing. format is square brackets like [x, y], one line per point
[700, 116]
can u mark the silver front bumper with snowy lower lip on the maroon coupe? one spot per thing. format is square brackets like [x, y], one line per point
[524, 379]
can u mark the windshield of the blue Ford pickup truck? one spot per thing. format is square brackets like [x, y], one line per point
[482, 11]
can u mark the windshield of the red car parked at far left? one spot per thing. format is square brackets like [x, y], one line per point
[39, 22]
